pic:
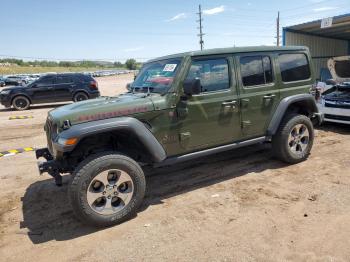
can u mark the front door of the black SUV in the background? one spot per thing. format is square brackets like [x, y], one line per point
[43, 90]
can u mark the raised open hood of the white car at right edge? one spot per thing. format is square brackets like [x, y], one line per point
[340, 68]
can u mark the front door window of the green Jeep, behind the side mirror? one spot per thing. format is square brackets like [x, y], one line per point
[213, 74]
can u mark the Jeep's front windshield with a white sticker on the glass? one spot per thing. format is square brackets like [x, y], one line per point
[156, 77]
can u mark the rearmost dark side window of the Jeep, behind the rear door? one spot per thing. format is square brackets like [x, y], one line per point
[294, 67]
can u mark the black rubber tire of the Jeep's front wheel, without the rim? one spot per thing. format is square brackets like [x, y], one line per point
[85, 174]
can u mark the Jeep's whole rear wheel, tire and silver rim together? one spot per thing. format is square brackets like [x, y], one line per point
[294, 139]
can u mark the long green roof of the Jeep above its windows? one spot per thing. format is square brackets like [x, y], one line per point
[232, 50]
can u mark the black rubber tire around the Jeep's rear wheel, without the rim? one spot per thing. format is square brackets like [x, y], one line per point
[280, 141]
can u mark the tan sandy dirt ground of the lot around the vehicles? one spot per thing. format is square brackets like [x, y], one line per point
[240, 205]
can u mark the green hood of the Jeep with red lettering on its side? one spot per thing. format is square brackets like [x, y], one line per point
[102, 108]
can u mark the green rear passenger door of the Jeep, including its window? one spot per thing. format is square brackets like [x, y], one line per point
[259, 93]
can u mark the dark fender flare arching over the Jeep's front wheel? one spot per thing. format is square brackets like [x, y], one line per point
[128, 124]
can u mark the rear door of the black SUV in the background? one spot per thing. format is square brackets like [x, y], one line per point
[64, 88]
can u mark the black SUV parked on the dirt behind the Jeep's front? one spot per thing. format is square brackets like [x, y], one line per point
[50, 88]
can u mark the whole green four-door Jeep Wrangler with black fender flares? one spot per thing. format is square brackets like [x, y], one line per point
[179, 107]
